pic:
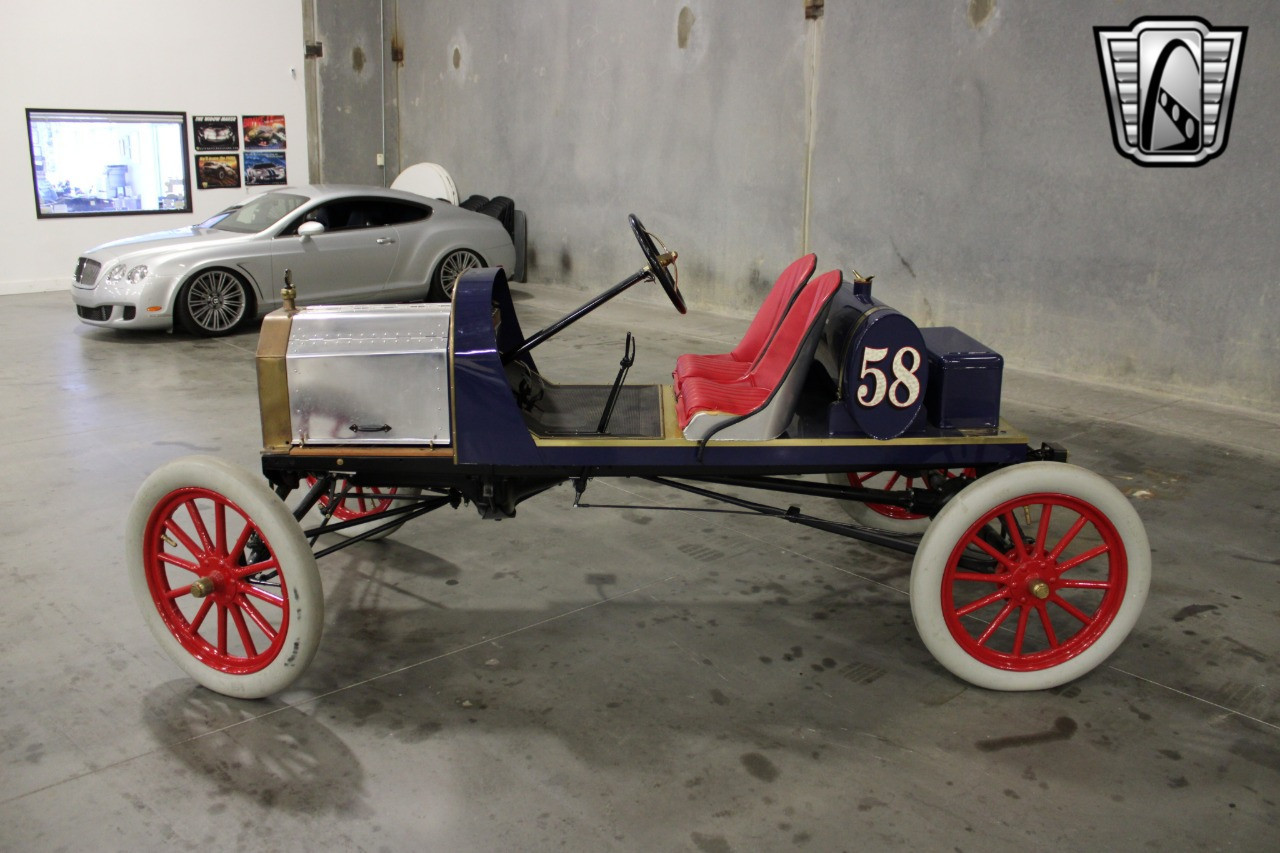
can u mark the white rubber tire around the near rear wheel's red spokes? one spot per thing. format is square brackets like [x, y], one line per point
[943, 544]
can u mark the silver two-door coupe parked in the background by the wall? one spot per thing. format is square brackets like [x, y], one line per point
[344, 244]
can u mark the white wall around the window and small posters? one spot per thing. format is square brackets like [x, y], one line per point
[240, 57]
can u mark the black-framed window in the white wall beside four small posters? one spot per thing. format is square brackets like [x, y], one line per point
[98, 163]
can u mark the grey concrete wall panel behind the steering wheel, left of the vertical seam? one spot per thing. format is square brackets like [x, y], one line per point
[587, 112]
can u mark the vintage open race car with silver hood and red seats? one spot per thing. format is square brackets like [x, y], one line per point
[1027, 573]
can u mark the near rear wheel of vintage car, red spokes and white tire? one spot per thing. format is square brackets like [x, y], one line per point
[1031, 577]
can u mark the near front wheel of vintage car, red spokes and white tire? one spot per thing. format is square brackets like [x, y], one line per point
[225, 577]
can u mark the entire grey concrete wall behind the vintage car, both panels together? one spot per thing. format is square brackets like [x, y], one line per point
[959, 149]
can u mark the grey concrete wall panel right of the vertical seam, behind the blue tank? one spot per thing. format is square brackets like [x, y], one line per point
[970, 162]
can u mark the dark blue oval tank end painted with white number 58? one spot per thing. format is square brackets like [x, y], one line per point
[885, 373]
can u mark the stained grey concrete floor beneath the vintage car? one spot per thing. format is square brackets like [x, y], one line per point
[615, 679]
